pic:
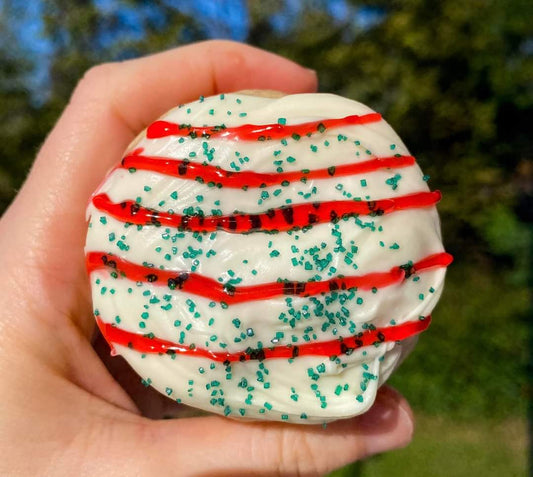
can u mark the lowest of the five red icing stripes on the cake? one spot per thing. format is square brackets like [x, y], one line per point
[369, 337]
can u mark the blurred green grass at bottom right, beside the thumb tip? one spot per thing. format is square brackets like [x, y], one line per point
[448, 448]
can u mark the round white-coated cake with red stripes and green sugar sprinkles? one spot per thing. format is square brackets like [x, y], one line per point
[266, 258]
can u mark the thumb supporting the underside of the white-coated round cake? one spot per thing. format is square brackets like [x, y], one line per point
[217, 446]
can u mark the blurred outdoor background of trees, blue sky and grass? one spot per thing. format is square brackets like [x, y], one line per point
[453, 77]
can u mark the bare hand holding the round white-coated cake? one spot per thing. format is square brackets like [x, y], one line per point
[62, 410]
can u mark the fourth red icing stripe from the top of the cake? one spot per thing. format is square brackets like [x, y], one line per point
[197, 284]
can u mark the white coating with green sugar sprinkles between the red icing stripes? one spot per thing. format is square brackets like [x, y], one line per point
[306, 389]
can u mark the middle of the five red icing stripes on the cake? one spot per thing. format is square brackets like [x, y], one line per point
[280, 219]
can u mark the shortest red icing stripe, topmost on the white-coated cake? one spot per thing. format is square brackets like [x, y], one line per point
[256, 132]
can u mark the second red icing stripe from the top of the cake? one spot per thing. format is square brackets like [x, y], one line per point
[216, 176]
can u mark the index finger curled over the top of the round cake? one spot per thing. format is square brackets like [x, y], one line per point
[114, 102]
